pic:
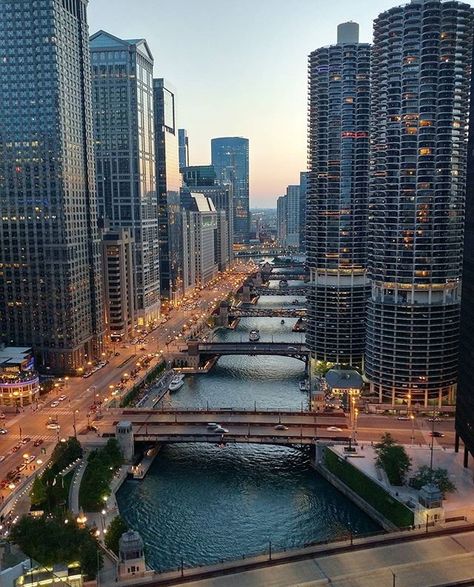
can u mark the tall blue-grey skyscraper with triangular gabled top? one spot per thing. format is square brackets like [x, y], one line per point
[122, 75]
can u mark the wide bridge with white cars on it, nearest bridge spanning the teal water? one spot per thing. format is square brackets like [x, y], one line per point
[249, 427]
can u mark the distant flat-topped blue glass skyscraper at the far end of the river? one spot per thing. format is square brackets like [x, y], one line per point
[230, 157]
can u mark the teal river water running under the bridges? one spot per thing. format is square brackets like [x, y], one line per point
[202, 504]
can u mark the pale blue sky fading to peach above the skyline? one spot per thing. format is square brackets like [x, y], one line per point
[239, 69]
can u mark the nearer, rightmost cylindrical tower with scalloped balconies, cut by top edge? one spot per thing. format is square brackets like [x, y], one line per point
[420, 102]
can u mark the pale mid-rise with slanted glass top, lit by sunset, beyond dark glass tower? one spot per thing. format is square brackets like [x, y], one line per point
[199, 239]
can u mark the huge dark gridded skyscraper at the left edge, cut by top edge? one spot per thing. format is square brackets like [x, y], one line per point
[50, 288]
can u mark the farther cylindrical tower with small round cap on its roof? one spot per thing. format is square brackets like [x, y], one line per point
[339, 94]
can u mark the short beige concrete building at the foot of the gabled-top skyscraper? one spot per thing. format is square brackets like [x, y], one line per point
[119, 290]
